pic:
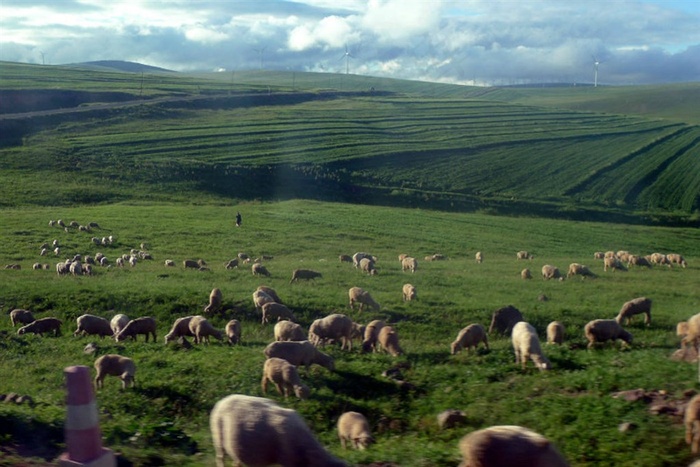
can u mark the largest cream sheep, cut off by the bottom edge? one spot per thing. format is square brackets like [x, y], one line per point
[255, 431]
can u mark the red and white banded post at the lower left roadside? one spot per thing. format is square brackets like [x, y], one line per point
[82, 430]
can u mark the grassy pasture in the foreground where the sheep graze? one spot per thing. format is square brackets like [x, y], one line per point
[164, 419]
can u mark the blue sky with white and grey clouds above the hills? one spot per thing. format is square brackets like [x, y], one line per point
[474, 42]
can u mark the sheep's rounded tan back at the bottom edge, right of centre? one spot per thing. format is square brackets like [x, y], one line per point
[512, 446]
